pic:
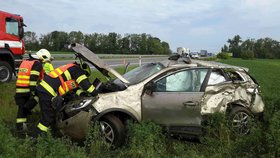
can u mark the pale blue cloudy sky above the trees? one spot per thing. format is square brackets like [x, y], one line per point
[194, 24]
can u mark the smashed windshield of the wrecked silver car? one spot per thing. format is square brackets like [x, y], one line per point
[141, 73]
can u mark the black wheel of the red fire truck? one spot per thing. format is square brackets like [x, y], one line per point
[6, 72]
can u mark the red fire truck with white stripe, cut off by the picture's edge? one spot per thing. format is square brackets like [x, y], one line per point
[11, 44]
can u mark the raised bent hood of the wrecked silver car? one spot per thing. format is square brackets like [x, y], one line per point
[92, 58]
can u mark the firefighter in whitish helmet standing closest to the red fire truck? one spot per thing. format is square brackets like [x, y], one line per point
[30, 73]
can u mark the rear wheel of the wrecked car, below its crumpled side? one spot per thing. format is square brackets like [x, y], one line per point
[240, 120]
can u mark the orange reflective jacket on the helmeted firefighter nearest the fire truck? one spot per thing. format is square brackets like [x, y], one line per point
[30, 72]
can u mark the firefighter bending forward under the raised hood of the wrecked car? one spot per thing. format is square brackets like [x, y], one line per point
[57, 83]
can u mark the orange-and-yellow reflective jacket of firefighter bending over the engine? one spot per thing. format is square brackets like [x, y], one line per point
[69, 76]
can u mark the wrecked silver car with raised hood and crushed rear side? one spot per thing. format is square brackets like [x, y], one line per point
[172, 93]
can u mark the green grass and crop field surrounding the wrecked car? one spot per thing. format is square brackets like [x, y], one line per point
[147, 139]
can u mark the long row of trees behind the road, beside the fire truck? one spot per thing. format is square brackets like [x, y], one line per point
[111, 43]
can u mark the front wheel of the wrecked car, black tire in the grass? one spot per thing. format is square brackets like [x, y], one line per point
[112, 130]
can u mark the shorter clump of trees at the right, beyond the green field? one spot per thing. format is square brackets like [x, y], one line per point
[252, 48]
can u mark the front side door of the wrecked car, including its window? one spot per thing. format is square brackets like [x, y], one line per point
[175, 98]
